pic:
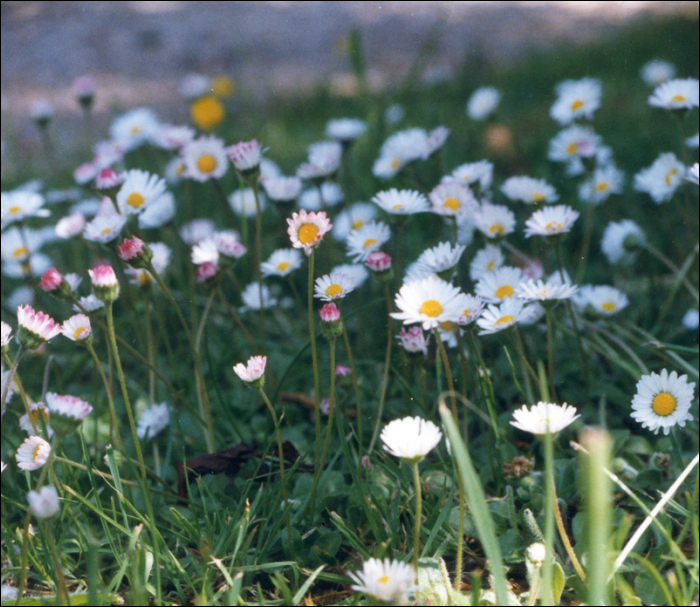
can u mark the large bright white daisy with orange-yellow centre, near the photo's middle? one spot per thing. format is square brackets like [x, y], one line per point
[429, 301]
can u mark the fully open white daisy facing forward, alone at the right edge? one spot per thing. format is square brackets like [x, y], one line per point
[663, 401]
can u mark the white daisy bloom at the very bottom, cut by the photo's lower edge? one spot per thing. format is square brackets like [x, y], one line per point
[388, 581]
